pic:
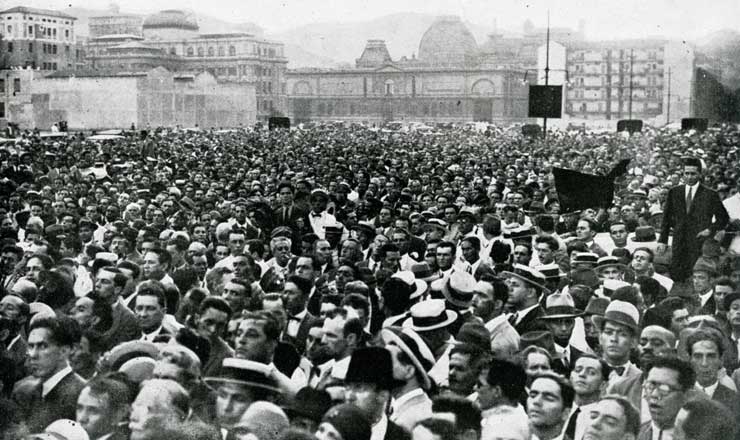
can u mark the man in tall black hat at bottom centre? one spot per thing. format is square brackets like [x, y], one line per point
[369, 382]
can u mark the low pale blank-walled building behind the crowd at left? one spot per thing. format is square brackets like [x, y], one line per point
[106, 99]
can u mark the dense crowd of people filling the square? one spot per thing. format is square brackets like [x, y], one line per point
[348, 283]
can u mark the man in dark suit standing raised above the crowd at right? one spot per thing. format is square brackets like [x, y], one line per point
[689, 211]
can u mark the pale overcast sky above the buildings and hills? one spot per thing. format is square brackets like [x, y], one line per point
[604, 19]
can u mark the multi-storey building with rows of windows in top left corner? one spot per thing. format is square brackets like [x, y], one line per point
[39, 39]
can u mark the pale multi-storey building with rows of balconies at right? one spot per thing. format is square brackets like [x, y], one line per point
[630, 79]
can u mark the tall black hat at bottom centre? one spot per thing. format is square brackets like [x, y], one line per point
[371, 365]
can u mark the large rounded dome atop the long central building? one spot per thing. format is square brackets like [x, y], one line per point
[447, 41]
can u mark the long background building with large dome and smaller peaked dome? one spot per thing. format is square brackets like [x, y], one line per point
[449, 82]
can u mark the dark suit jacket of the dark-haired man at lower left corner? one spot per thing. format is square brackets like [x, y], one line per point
[60, 403]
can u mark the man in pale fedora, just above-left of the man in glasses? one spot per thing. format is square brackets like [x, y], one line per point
[618, 335]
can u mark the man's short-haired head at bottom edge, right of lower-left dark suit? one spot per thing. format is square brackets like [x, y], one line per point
[103, 405]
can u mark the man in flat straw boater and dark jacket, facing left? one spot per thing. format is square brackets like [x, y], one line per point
[525, 287]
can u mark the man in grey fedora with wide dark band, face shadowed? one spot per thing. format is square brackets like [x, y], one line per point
[560, 318]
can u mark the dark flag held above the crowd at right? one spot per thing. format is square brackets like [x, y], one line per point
[578, 191]
